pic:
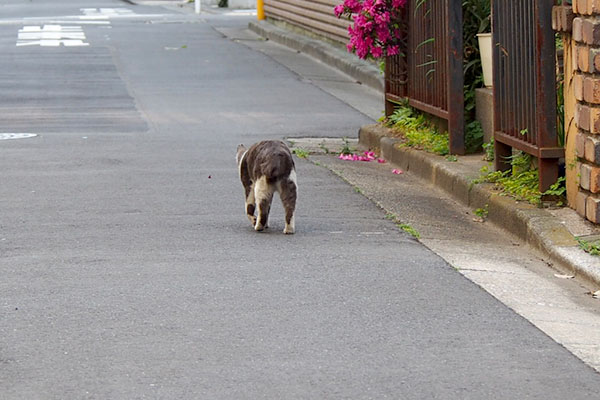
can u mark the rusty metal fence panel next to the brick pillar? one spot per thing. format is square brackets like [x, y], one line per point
[525, 85]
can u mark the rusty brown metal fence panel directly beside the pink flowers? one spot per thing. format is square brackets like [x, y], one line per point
[429, 72]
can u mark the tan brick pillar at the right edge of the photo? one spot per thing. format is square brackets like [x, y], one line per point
[586, 85]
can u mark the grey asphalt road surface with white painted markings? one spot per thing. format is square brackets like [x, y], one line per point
[130, 271]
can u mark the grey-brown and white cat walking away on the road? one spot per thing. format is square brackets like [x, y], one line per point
[265, 168]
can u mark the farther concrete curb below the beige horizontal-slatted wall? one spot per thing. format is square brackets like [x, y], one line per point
[361, 71]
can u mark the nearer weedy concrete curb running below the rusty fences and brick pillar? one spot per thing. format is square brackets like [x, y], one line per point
[530, 224]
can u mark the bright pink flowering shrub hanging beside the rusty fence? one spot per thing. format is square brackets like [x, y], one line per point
[376, 29]
